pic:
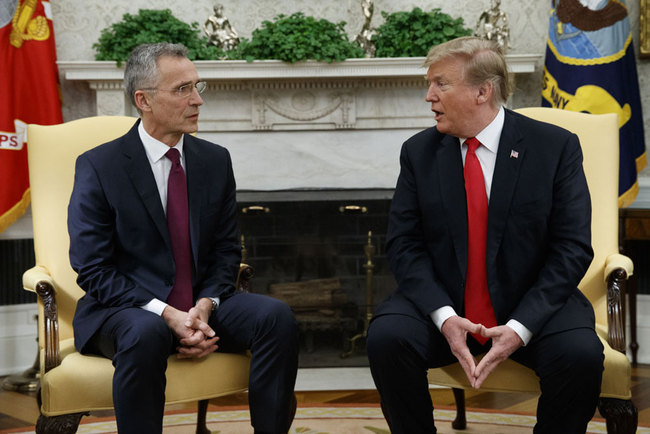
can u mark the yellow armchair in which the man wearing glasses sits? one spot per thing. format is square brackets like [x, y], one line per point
[72, 384]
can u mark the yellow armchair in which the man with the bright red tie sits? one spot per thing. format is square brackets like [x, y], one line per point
[603, 283]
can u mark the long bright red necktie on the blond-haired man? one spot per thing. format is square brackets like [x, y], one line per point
[478, 306]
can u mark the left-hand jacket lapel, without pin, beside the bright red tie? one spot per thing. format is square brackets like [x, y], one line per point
[452, 182]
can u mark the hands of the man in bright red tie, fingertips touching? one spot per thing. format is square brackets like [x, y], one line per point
[505, 341]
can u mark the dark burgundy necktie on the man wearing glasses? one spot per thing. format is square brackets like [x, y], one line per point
[180, 296]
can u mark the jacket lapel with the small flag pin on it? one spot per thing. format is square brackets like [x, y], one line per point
[510, 157]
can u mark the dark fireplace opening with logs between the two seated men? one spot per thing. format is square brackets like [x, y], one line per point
[322, 253]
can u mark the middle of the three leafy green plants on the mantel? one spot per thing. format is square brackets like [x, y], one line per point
[298, 37]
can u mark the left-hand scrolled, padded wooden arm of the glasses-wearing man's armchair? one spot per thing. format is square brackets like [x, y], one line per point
[38, 280]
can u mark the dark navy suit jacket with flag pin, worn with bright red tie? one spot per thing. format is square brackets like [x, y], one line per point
[539, 235]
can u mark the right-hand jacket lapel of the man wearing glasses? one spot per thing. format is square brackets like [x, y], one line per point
[196, 172]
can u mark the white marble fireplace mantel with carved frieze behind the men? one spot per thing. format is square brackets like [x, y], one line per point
[308, 125]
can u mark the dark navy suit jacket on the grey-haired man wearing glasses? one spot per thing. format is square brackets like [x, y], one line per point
[119, 241]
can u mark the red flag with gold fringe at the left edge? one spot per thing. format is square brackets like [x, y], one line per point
[29, 93]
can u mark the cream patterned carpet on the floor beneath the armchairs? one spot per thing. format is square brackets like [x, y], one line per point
[330, 419]
